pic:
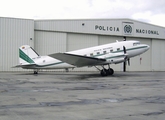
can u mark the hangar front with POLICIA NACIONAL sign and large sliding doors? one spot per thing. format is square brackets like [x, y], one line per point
[77, 34]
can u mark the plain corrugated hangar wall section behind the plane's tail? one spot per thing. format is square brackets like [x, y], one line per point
[14, 33]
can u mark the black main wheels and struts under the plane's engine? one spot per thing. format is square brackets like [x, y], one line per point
[106, 72]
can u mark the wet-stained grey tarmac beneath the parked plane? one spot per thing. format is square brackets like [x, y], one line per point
[82, 96]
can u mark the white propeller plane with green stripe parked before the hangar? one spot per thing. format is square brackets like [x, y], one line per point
[102, 55]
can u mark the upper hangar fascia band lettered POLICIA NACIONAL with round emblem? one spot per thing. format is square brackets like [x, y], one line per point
[114, 27]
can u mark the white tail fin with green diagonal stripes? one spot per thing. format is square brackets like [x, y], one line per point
[26, 55]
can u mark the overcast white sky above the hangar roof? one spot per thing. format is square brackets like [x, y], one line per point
[150, 11]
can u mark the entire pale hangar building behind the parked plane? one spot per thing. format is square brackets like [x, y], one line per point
[51, 36]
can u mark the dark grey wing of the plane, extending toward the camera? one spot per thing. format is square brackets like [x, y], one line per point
[77, 60]
